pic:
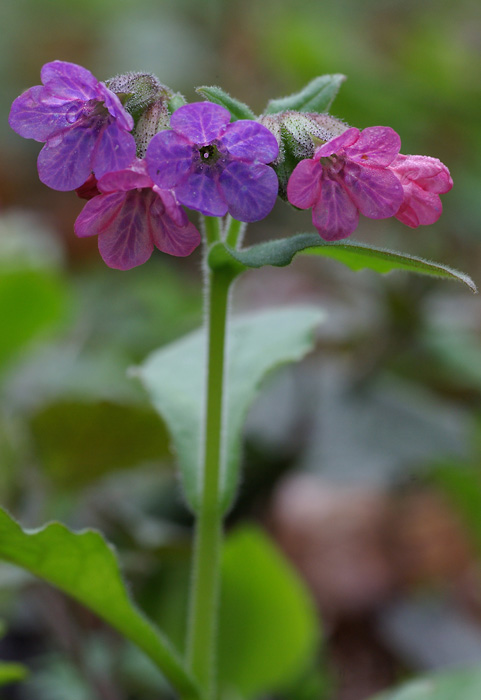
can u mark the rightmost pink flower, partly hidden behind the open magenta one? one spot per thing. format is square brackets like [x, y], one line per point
[423, 179]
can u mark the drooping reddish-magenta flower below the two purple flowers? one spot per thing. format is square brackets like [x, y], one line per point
[131, 216]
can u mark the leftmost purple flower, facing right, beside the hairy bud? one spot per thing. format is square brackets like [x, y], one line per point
[82, 122]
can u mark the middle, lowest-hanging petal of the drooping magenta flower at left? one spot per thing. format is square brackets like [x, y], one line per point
[127, 241]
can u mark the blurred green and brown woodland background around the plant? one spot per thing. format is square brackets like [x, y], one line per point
[375, 440]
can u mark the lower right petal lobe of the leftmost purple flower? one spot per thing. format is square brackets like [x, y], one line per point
[115, 150]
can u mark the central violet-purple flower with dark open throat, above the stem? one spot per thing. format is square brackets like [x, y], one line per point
[213, 166]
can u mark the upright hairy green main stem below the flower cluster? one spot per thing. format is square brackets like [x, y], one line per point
[205, 583]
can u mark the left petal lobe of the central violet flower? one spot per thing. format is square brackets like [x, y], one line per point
[169, 159]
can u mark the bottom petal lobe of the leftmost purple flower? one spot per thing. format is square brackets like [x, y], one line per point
[64, 161]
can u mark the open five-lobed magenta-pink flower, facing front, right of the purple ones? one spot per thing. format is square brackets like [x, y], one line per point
[348, 175]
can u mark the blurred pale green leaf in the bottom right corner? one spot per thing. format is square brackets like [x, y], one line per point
[464, 684]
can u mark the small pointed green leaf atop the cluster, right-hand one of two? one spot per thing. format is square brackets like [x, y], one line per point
[317, 96]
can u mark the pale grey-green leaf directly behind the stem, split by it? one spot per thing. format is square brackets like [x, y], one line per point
[174, 377]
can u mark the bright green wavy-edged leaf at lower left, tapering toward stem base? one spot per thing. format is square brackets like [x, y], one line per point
[85, 567]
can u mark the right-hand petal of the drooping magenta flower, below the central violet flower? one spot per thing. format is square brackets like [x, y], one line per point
[167, 235]
